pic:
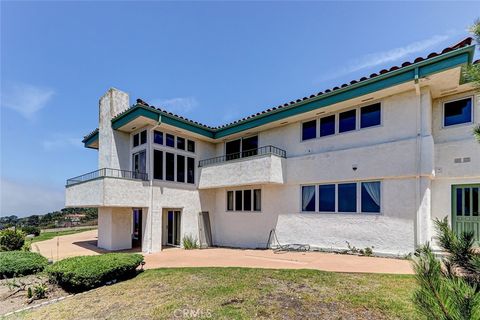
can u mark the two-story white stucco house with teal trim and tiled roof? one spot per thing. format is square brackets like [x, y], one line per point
[370, 162]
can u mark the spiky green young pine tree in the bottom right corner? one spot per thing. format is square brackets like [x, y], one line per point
[449, 287]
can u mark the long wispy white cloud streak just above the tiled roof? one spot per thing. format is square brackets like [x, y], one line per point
[383, 57]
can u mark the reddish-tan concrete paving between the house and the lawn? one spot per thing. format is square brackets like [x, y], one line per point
[84, 243]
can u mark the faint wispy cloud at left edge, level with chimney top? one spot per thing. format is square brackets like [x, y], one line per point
[25, 99]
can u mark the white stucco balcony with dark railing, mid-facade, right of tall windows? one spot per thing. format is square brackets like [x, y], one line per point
[265, 165]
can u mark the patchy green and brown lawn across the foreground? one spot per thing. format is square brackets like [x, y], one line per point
[242, 293]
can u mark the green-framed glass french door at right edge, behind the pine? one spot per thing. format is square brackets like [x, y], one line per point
[465, 209]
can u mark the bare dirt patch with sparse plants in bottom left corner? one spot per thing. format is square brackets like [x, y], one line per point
[13, 292]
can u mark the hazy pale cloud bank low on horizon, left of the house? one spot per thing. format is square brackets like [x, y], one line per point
[25, 198]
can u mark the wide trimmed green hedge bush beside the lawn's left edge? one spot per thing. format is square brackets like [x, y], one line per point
[87, 272]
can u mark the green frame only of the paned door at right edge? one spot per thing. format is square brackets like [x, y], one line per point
[465, 222]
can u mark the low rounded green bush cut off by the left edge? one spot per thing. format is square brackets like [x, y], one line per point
[21, 263]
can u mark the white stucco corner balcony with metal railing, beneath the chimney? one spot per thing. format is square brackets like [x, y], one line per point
[107, 188]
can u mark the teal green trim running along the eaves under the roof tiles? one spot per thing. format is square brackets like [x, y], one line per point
[439, 63]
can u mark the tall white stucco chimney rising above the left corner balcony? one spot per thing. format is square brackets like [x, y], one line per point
[113, 151]
